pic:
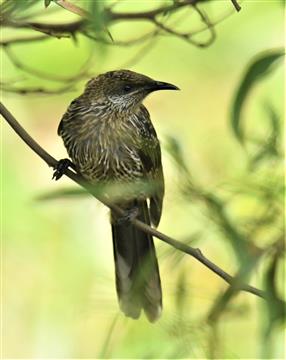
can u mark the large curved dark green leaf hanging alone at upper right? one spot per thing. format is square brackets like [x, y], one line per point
[259, 67]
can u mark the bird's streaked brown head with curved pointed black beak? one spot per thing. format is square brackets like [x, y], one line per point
[124, 89]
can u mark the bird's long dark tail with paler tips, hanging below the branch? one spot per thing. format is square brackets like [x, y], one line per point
[138, 281]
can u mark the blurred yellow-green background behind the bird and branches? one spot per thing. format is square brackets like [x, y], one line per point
[58, 291]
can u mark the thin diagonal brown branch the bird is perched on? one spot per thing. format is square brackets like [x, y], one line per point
[52, 162]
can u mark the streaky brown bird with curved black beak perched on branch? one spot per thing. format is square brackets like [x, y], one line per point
[110, 139]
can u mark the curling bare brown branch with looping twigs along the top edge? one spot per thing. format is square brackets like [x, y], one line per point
[109, 16]
